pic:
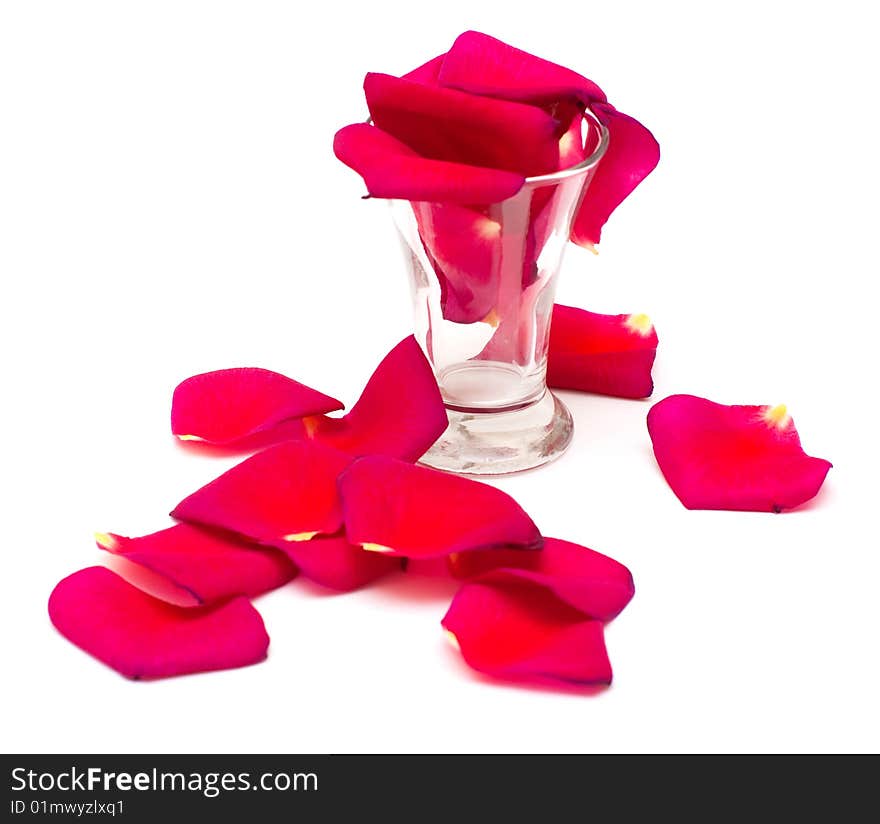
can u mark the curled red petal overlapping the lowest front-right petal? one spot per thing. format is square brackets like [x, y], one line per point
[594, 584]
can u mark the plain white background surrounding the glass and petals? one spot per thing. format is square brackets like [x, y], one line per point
[170, 203]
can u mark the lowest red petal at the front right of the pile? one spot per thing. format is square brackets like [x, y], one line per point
[517, 630]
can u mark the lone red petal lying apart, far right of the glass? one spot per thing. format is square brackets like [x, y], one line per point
[732, 457]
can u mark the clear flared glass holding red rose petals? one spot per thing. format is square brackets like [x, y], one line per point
[483, 281]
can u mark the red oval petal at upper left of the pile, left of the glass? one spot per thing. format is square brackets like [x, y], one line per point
[230, 404]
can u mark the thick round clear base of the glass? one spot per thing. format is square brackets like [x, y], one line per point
[481, 442]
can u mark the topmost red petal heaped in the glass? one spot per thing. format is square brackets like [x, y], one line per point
[480, 64]
